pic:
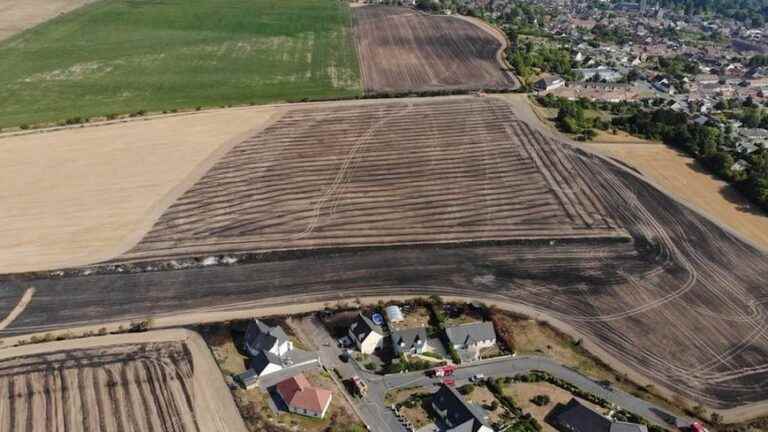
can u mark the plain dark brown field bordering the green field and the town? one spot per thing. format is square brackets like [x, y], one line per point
[404, 50]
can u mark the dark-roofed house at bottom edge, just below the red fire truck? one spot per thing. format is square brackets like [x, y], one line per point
[458, 415]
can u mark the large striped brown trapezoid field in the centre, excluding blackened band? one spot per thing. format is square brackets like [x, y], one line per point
[383, 174]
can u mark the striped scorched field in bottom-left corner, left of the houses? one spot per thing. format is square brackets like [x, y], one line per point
[144, 387]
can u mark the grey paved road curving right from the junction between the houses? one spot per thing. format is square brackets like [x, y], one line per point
[521, 365]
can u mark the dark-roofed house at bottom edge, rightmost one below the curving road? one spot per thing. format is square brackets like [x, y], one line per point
[575, 417]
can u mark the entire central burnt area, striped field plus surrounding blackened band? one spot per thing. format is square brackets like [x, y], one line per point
[682, 301]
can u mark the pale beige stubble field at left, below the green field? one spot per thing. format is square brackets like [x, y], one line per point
[85, 195]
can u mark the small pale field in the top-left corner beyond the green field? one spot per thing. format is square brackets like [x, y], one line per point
[19, 15]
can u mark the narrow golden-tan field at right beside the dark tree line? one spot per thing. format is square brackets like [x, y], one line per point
[683, 177]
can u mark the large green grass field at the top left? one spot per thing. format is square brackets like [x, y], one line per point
[122, 56]
